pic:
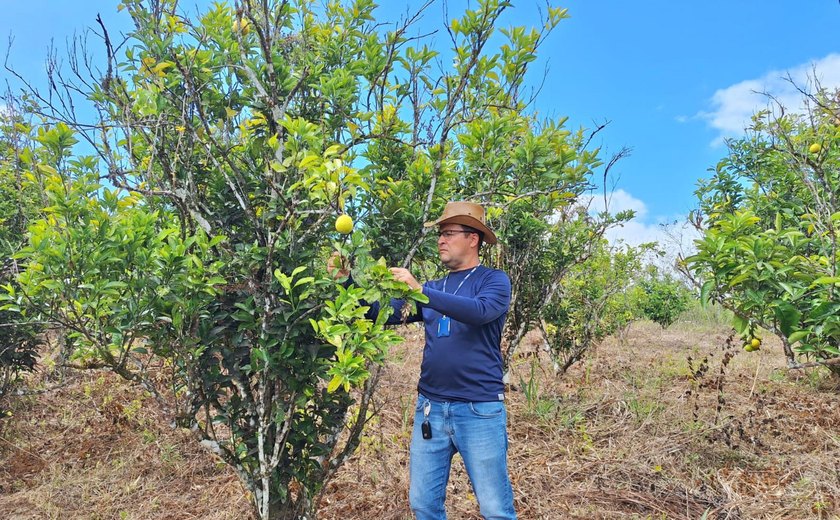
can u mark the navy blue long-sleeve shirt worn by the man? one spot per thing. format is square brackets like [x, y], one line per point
[467, 364]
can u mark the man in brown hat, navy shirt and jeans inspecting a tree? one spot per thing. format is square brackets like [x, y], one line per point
[460, 406]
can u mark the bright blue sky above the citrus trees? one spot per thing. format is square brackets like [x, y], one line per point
[673, 78]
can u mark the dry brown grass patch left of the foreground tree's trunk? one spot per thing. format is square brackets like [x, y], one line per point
[96, 447]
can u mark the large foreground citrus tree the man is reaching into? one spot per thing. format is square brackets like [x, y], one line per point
[193, 240]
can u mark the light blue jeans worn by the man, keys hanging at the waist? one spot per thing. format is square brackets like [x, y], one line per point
[478, 432]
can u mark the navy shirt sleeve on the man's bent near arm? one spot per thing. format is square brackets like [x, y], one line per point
[491, 301]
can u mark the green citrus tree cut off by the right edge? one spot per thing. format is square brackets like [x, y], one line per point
[769, 217]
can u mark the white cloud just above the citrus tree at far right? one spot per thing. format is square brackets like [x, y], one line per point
[733, 106]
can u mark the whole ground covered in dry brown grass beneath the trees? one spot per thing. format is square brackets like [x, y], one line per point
[656, 424]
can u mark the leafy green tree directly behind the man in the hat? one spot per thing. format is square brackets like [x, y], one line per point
[469, 134]
